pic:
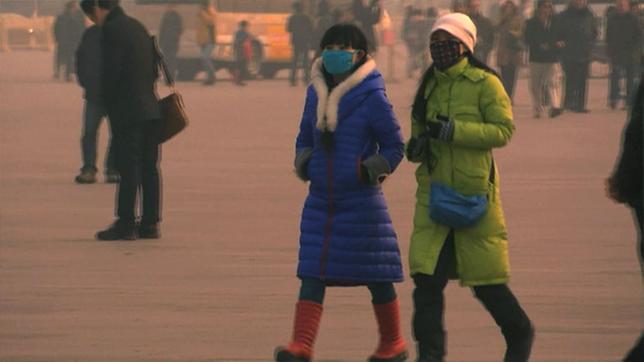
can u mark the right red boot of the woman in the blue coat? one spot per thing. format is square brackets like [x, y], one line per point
[392, 347]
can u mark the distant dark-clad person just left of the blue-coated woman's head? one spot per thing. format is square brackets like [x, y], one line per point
[301, 29]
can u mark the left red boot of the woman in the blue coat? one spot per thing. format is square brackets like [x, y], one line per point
[305, 329]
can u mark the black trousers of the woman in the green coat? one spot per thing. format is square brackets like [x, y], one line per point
[428, 326]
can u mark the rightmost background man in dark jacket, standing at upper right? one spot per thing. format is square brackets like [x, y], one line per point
[623, 41]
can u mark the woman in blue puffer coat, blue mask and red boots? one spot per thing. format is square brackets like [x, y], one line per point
[349, 141]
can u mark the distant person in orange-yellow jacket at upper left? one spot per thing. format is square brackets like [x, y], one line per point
[207, 38]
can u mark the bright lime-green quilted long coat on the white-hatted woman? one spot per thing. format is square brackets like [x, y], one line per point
[477, 103]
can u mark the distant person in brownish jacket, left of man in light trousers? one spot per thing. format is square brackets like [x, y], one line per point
[509, 55]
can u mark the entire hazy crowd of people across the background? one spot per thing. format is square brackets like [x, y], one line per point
[557, 48]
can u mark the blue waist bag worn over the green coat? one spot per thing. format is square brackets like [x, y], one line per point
[451, 208]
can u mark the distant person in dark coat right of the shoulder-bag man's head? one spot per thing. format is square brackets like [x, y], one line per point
[170, 32]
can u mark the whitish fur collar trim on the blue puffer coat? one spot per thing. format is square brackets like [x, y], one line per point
[328, 104]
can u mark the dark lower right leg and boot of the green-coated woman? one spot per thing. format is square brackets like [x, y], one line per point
[514, 322]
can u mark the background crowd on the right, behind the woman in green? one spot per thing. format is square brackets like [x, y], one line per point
[558, 47]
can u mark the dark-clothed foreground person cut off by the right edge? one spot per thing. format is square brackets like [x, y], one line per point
[626, 184]
